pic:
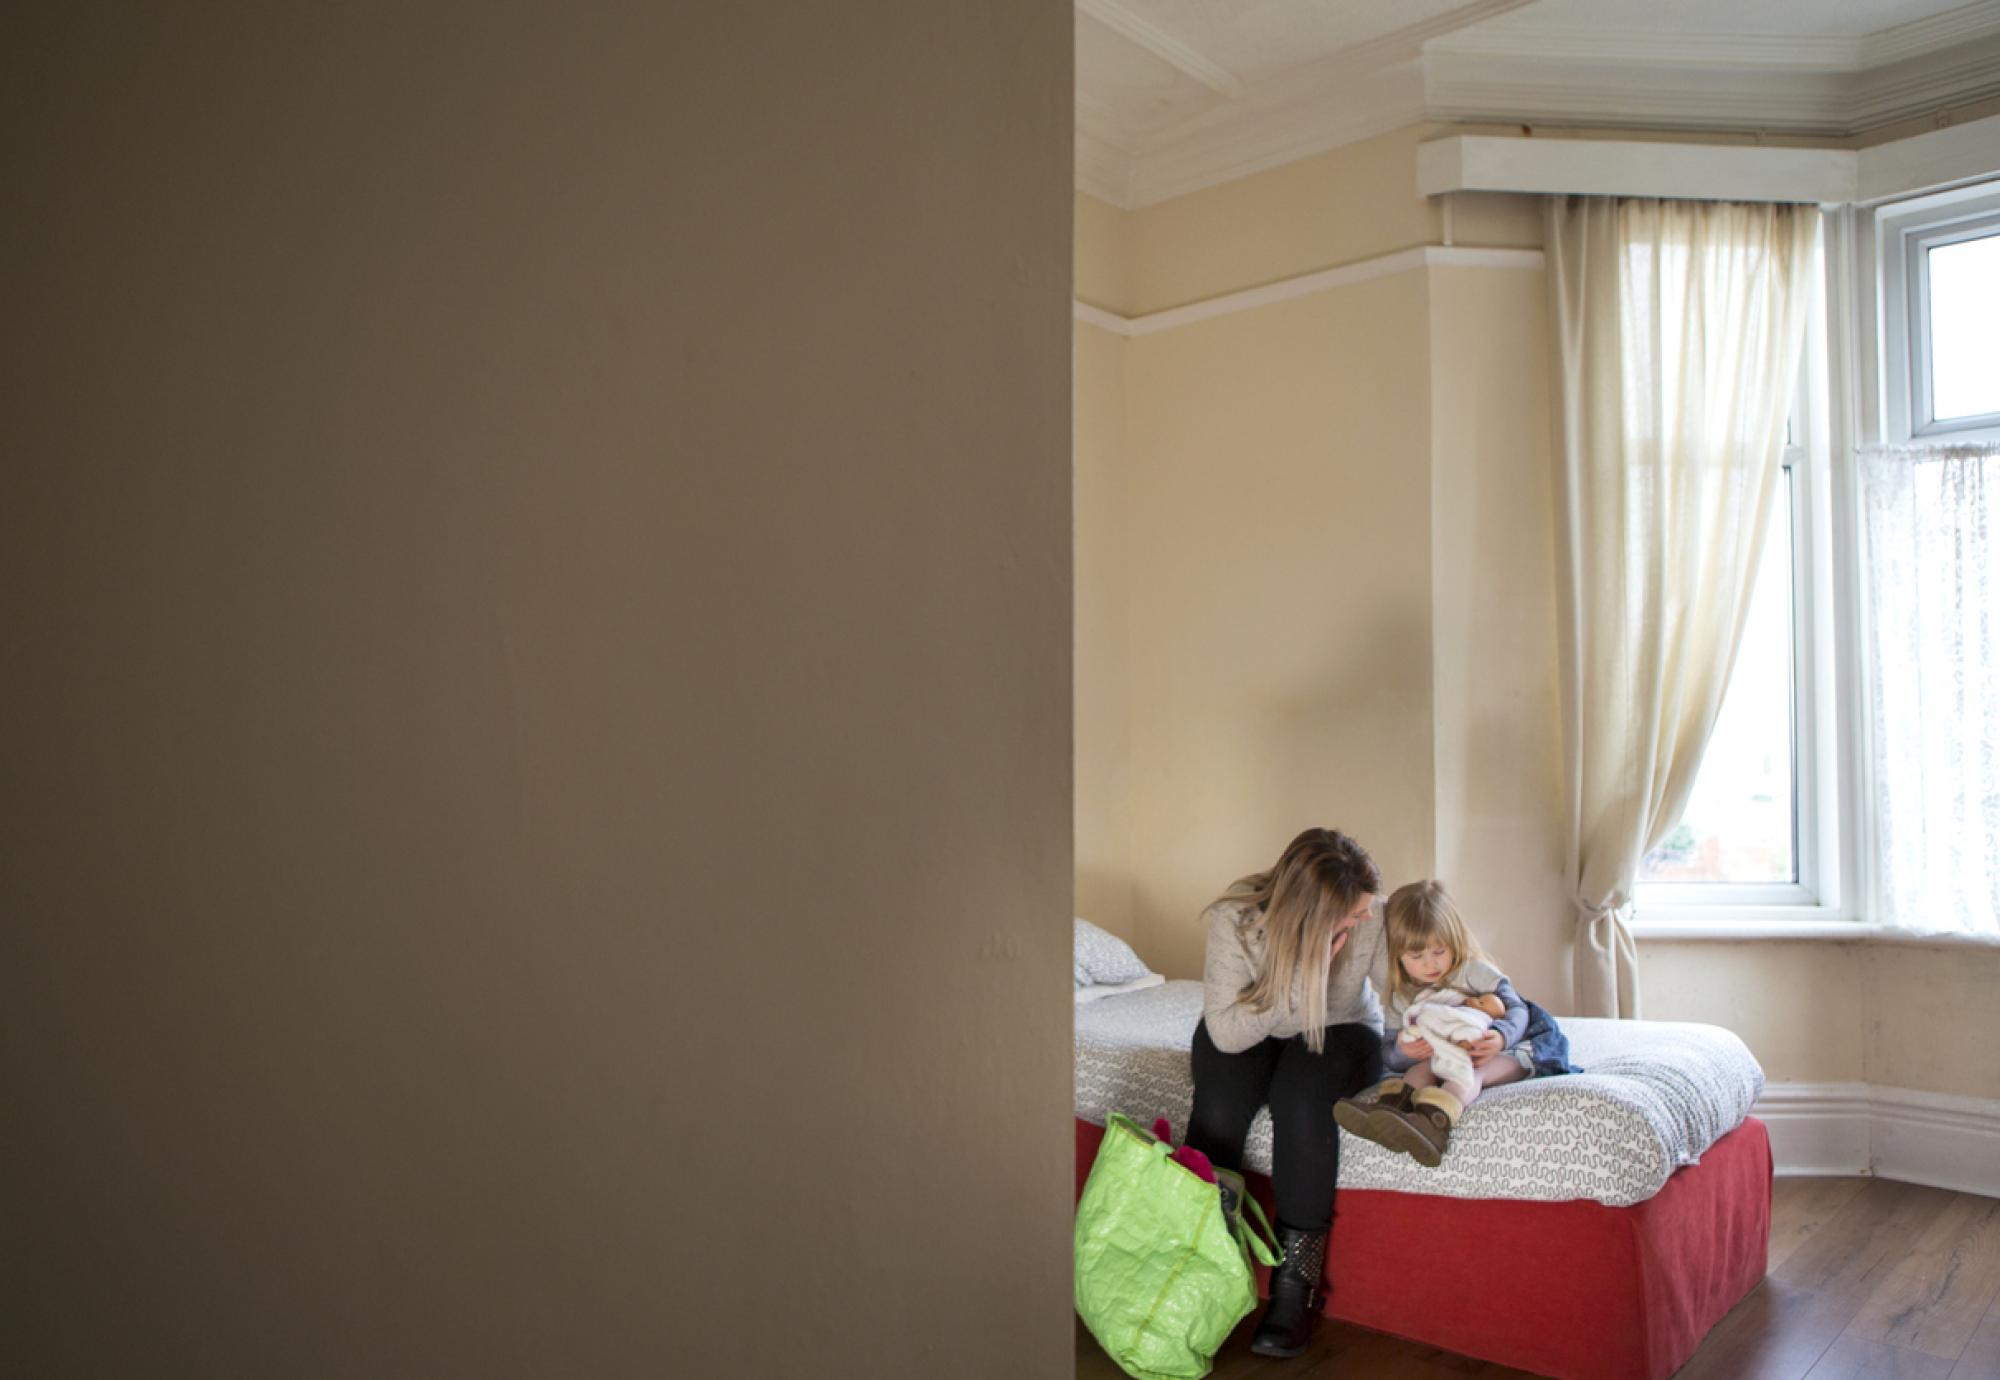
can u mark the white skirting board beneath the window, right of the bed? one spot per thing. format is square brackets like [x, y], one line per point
[1891, 1133]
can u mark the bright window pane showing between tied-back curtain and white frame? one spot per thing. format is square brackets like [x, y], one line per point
[1739, 825]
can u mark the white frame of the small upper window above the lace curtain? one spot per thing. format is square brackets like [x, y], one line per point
[1905, 233]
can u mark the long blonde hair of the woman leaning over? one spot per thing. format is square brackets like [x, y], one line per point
[1303, 901]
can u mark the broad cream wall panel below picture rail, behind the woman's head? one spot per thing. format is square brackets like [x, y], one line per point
[1279, 591]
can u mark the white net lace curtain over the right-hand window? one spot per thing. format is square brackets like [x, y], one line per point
[1933, 515]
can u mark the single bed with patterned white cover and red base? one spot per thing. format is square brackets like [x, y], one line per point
[1629, 1205]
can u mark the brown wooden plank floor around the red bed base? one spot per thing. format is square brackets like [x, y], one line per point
[1869, 1281]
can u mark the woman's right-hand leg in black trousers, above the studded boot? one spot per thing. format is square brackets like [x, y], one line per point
[1303, 1093]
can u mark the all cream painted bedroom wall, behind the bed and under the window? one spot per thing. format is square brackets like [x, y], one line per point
[1281, 453]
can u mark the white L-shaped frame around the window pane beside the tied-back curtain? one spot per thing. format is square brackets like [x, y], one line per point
[1815, 901]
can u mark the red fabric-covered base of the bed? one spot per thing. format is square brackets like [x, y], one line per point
[1567, 1289]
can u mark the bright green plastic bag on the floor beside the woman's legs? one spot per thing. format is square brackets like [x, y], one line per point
[1163, 1277]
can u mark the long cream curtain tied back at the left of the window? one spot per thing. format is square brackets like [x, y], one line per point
[1677, 331]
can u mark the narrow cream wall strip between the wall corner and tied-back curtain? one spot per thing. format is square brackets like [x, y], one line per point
[1497, 699]
